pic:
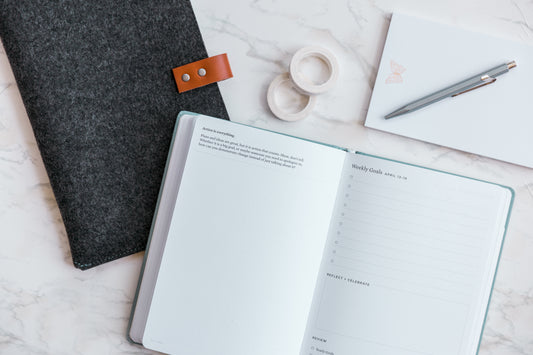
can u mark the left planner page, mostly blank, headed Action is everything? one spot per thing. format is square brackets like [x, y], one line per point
[245, 243]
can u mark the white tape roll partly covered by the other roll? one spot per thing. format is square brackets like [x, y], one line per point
[286, 115]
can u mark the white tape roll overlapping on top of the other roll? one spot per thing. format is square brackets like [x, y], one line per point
[306, 85]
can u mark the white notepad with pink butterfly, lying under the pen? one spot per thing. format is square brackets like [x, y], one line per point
[421, 57]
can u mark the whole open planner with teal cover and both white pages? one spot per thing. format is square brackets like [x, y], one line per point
[269, 244]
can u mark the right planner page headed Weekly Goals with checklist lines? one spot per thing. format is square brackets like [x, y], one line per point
[410, 261]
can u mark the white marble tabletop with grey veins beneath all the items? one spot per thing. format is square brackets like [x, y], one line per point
[49, 307]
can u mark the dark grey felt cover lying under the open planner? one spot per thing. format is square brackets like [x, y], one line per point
[96, 80]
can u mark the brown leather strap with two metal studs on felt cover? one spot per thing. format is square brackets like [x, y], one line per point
[206, 71]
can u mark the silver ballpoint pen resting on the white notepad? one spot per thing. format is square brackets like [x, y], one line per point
[482, 79]
